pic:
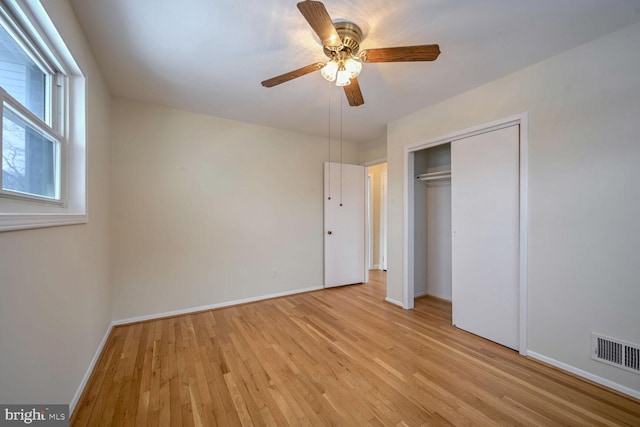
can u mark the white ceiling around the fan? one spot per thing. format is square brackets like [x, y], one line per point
[209, 56]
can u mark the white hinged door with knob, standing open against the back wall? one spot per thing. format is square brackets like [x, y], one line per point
[344, 224]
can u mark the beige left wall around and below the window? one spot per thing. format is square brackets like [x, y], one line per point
[56, 305]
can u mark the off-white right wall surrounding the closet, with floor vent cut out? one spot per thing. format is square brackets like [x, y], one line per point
[584, 192]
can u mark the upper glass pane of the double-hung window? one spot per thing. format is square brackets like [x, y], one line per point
[21, 77]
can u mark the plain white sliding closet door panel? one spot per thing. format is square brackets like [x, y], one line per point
[485, 235]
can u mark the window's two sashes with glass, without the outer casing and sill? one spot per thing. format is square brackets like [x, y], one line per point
[31, 140]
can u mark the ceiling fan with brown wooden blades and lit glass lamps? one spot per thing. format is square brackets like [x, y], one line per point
[341, 43]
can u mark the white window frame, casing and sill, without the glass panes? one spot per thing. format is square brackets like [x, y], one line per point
[66, 124]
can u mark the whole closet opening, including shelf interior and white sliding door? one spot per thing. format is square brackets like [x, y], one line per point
[466, 230]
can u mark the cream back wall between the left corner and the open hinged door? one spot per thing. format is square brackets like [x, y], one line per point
[204, 209]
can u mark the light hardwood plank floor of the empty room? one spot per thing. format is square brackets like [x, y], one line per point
[340, 356]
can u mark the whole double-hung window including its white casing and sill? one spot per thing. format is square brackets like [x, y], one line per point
[43, 121]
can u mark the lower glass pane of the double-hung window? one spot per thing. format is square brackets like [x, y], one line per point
[30, 158]
